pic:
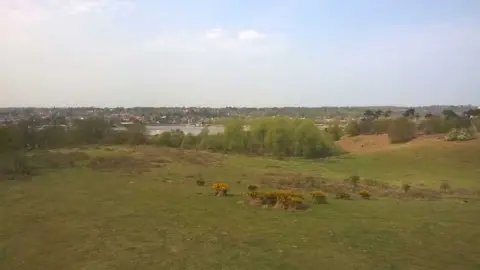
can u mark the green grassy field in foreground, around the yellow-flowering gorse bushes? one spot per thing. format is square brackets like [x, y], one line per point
[141, 209]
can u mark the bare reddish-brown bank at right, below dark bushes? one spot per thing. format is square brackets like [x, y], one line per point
[379, 143]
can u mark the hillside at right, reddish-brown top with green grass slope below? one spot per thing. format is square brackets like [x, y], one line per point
[427, 160]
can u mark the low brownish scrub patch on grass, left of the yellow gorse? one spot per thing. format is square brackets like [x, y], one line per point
[128, 164]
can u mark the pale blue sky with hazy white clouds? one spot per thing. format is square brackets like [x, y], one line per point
[217, 53]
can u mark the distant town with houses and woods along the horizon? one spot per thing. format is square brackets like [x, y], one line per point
[200, 116]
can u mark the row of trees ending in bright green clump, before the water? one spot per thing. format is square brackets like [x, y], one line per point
[275, 136]
